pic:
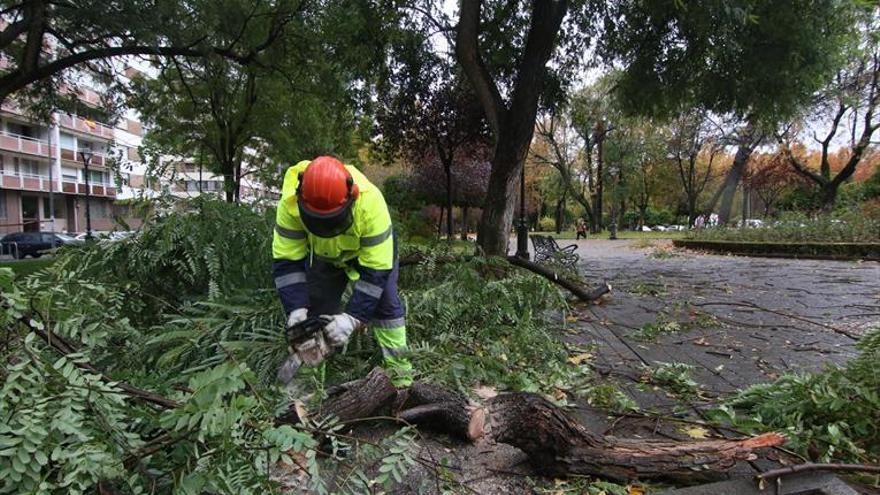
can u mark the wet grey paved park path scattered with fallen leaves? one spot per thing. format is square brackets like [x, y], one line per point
[738, 320]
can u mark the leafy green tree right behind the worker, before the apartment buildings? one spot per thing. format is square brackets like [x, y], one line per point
[292, 102]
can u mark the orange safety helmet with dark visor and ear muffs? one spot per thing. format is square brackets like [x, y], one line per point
[324, 195]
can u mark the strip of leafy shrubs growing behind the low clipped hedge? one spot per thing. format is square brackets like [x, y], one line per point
[848, 227]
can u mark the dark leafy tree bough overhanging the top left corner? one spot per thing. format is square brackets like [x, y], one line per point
[42, 40]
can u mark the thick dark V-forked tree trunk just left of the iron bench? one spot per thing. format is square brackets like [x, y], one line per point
[511, 119]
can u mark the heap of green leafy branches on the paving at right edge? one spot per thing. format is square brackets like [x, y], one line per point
[825, 415]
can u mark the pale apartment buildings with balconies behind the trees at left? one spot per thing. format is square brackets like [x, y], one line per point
[39, 157]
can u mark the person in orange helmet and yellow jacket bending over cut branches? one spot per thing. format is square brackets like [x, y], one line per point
[333, 226]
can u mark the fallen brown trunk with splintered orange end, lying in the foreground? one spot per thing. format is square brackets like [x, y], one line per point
[555, 442]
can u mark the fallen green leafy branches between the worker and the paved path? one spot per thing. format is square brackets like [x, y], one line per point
[497, 334]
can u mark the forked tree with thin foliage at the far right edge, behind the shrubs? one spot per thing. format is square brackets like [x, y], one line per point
[849, 104]
